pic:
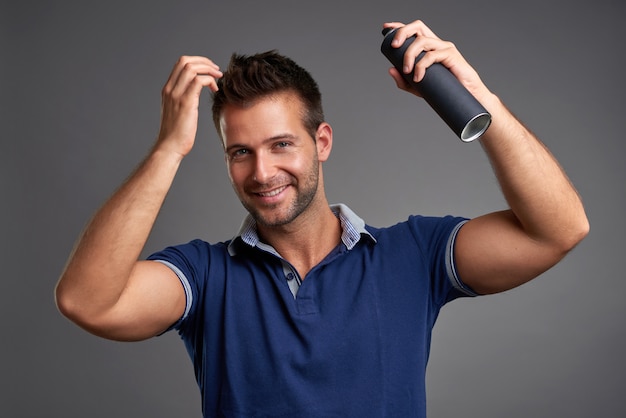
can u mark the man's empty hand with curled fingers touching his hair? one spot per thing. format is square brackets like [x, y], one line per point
[180, 98]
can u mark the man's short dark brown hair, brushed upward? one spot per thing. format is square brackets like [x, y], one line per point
[251, 77]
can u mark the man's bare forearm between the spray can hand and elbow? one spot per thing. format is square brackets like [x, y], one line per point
[535, 186]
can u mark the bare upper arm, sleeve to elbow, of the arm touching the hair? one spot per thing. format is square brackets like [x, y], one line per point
[152, 301]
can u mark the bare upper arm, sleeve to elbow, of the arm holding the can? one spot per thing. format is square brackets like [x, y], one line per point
[493, 253]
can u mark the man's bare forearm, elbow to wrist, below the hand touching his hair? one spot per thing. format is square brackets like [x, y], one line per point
[105, 255]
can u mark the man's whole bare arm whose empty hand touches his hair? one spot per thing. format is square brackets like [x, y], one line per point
[104, 288]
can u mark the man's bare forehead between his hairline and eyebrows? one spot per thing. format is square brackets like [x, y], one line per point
[262, 118]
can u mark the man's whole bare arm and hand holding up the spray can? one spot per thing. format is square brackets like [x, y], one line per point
[546, 219]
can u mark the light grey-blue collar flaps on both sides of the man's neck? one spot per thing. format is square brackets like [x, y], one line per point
[352, 226]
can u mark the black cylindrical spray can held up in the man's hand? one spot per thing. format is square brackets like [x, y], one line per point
[443, 92]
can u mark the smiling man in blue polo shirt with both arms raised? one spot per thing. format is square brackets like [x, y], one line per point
[309, 312]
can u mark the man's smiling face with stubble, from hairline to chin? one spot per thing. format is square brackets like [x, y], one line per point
[271, 158]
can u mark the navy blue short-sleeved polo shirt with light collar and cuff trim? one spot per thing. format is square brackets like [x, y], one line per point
[351, 340]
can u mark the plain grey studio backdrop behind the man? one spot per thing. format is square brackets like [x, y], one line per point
[80, 98]
